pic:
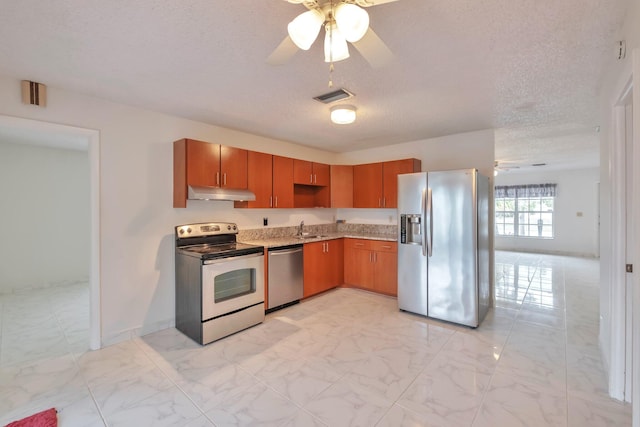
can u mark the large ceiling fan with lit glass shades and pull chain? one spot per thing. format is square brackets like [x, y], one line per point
[344, 21]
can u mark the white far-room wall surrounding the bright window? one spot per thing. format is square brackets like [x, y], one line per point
[573, 234]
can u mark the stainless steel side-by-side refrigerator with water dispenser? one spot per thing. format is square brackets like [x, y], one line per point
[443, 245]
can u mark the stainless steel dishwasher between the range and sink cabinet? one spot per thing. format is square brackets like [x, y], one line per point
[285, 276]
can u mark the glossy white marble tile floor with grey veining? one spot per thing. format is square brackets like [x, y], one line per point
[344, 358]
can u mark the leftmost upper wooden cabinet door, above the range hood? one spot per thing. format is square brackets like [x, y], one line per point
[203, 163]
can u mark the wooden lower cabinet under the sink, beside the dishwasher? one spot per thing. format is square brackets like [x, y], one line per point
[323, 266]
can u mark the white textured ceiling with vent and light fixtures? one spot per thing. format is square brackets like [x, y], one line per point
[531, 69]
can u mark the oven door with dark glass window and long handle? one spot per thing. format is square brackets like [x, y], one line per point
[230, 284]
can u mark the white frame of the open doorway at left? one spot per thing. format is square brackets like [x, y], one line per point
[87, 140]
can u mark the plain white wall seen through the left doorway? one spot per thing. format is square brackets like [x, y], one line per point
[44, 220]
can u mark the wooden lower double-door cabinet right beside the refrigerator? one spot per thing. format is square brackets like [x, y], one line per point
[371, 265]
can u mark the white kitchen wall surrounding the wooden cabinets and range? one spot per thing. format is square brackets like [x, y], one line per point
[136, 214]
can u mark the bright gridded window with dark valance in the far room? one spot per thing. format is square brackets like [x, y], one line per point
[525, 210]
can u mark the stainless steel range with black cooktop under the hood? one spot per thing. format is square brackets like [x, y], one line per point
[219, 282]
